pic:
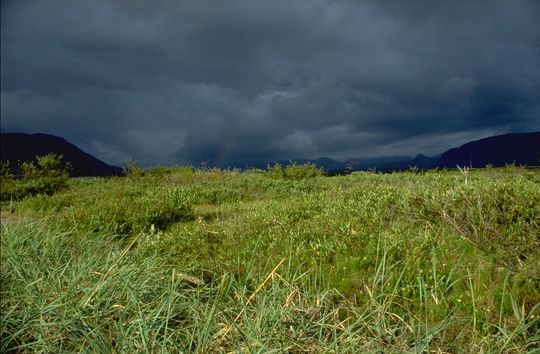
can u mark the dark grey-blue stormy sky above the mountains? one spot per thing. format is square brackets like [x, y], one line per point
[225, 81]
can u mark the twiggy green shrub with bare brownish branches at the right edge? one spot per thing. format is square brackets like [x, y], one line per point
[501, 219]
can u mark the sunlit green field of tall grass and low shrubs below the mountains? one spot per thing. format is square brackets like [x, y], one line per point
[264, 261]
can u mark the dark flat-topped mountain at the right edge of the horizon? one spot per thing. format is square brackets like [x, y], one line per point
[518, 148]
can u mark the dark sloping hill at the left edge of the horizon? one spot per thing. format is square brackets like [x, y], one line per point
[24, 147]
